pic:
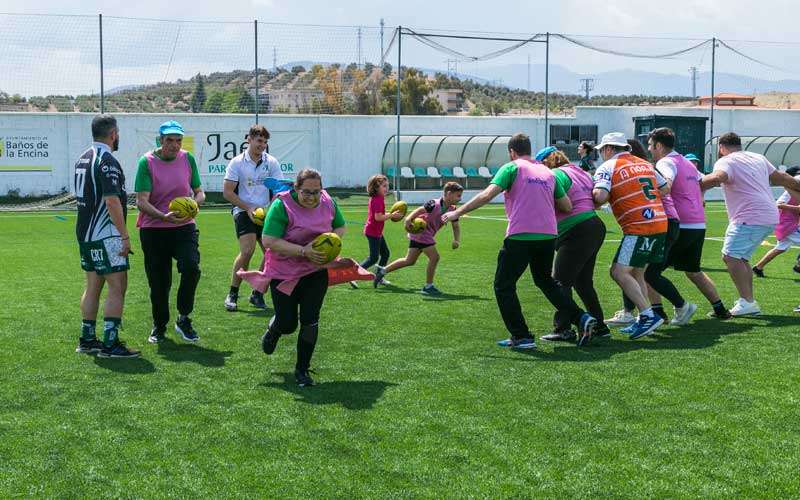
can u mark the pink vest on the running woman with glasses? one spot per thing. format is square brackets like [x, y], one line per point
[304, 225]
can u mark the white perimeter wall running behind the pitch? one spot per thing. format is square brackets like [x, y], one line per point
[346, 149]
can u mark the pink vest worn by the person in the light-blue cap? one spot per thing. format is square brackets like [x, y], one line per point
[170, 180]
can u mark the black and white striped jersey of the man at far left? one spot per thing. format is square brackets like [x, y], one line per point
[97, 175]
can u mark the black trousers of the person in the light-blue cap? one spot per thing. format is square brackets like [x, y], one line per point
[159, 247]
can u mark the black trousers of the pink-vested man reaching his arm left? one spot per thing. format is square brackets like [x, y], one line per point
[513, 259]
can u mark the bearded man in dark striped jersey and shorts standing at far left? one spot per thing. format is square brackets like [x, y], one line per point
[103, 239]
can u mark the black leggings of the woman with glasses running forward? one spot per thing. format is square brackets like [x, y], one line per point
[304, 303]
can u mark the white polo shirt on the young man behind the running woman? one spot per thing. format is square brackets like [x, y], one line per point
[251, 177]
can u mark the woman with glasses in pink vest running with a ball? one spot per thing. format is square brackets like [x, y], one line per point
[294, 219]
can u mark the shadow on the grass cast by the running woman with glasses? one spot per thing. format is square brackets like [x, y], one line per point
[353, 395]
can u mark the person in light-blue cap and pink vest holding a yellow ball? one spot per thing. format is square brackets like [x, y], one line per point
[164, 174]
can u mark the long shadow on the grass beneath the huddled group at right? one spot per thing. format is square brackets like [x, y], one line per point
[703, 334]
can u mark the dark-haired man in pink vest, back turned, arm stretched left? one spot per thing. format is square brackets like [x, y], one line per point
[529, 188]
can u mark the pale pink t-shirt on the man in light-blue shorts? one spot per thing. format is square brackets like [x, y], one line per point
[748, 197]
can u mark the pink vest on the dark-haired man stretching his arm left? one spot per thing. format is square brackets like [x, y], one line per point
[529, 203]
